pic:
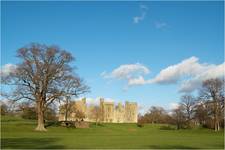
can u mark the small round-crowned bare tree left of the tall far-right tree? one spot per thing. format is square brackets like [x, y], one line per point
[188, 103]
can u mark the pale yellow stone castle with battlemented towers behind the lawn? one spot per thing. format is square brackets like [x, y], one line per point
[109, 112]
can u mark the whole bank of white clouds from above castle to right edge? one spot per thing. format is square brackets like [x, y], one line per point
[189, 73]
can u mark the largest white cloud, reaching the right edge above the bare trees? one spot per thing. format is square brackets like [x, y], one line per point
[190, 73]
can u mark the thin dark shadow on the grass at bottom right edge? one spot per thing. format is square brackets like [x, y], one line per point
[171, 147]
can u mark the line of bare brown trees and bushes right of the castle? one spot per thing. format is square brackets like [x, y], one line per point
[205, 109]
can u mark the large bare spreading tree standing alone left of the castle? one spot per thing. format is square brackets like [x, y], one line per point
[43, 76]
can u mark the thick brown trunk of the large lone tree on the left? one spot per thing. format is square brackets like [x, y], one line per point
[40, 112]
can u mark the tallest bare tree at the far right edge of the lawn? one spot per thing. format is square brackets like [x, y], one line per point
[213, 92]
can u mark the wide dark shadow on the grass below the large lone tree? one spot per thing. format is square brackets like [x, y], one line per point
[30, 143]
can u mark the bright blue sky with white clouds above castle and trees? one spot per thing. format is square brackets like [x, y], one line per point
[104, 36]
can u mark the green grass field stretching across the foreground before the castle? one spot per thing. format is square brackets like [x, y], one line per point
[19, 133]
